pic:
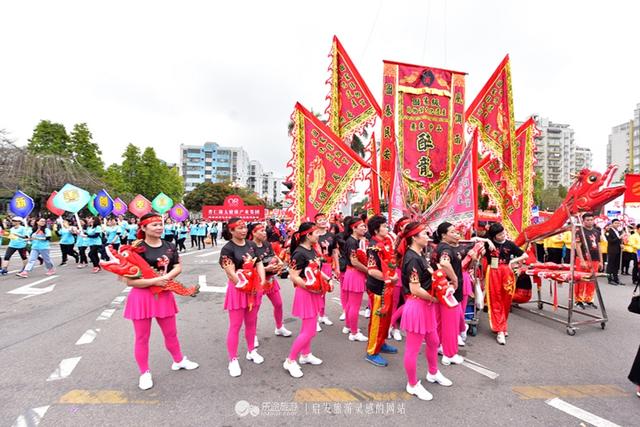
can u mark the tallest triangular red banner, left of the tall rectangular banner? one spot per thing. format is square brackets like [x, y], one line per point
[351, 104]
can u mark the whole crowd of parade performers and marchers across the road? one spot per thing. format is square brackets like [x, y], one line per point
[419, 284]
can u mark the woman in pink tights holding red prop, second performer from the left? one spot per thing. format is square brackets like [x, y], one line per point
[241, 254]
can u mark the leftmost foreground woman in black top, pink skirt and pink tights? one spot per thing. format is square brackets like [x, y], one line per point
[142, 306]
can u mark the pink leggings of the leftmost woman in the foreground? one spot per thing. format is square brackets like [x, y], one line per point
[142, 329]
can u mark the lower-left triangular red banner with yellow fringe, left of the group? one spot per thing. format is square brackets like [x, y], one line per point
[323, 167]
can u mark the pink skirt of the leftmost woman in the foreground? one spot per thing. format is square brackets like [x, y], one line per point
[142, 304]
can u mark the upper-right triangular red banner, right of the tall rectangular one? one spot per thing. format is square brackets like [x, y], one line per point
[492, 113]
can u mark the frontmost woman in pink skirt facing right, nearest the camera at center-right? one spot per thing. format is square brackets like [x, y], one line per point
[419, 312]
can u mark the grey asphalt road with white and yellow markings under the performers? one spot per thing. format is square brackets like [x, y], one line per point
[49, 376]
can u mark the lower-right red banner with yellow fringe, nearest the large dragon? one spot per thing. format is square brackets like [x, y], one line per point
[514, 206]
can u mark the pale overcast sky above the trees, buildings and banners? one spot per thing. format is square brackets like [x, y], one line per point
[163, 73]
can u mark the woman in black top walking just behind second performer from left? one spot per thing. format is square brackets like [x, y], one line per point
[272, 265]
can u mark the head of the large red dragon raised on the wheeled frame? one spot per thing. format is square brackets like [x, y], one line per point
[591, 191]
